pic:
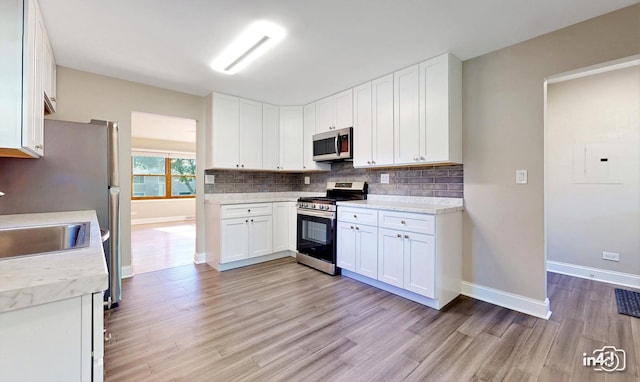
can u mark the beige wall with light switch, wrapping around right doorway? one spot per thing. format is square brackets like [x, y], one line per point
[503, 130]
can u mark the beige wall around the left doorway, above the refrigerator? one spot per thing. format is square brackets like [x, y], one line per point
[82, 96]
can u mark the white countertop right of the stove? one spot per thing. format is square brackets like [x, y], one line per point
[425, 205]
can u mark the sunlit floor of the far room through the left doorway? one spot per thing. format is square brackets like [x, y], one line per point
[162, 245]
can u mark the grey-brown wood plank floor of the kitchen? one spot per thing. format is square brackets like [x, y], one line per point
[281, 321]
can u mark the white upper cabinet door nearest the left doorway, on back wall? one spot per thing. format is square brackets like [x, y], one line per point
[225, 144]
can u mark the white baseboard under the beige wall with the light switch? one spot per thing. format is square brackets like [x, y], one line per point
[508, 300]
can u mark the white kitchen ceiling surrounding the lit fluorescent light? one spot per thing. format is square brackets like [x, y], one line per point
[331, 44]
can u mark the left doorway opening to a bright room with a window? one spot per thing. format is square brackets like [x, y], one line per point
[163, 179]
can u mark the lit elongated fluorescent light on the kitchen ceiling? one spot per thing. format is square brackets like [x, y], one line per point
[251, 44]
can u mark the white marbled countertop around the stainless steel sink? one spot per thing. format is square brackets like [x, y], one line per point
[39, 279]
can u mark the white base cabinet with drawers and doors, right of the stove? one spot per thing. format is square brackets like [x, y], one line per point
[417, 256]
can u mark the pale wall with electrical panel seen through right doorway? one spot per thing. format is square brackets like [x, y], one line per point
[594, 206]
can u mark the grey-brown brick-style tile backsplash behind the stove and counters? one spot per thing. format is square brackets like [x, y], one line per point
[438, 181]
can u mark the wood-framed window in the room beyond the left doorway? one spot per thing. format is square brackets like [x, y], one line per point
[162, 177]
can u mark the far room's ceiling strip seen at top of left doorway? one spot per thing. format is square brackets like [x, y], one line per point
[154, 126]
